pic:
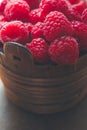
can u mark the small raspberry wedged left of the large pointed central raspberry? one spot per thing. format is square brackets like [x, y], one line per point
[37, 30]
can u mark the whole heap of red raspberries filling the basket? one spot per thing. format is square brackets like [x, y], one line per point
[54, 31]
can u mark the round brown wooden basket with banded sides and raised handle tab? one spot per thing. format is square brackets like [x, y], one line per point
[41, 88]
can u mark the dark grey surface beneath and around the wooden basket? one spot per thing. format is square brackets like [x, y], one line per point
[13, 118]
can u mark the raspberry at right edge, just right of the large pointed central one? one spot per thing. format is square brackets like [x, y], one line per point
[80, 33]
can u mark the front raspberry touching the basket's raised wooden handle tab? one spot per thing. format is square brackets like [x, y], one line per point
[39, 50]
